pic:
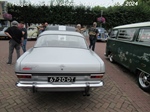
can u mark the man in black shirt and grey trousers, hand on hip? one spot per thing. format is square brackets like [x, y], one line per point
[15, 35]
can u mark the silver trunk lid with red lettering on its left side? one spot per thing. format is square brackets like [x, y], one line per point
[60, 60]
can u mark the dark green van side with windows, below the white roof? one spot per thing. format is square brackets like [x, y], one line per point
[131, 48]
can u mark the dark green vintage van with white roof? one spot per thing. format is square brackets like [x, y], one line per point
[129, 45]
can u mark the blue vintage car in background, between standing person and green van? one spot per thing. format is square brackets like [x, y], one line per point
[103, 35]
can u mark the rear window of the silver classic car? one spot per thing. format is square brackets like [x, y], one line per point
[67, 41]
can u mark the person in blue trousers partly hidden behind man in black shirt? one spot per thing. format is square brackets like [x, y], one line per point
[24, 32]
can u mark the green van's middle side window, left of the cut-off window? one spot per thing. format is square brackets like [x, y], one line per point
[126, 34]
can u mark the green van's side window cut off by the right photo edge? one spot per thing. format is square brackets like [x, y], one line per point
[144, 35]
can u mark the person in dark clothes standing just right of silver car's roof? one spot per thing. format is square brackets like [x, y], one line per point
[93, 33]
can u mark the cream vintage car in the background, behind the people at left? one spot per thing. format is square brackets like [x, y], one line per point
[32, 32]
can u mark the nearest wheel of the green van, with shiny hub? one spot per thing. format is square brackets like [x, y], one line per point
[144, 81]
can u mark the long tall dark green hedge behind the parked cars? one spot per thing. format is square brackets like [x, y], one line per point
[69, 14]
